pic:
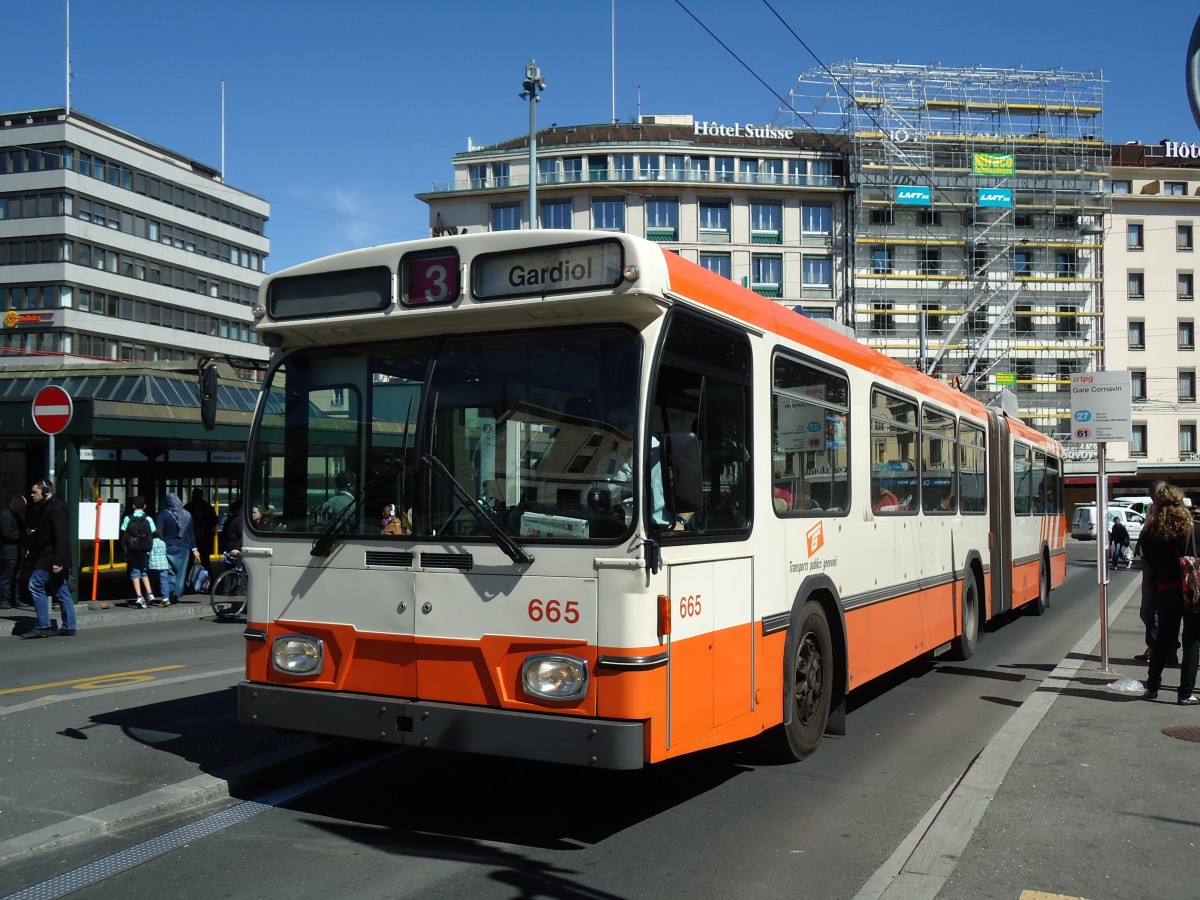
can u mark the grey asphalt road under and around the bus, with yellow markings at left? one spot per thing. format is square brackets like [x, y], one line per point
[398, 824]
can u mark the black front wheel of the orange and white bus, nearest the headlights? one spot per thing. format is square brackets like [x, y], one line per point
[808, 683]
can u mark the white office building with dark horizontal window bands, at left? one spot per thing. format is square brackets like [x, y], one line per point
[115, 249]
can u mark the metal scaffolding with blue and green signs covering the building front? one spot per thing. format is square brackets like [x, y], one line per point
[977, 220]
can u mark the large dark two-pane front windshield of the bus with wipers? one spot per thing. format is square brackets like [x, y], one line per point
[421, 437]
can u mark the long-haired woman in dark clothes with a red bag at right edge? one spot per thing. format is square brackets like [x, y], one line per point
[1171, 533]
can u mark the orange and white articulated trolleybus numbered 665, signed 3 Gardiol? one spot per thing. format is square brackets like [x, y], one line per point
[565, 496]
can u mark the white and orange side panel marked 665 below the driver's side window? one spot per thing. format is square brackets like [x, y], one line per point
[710, 671]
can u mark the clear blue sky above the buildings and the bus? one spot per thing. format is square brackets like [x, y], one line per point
[339, 113]
